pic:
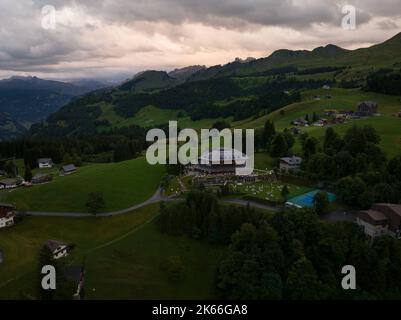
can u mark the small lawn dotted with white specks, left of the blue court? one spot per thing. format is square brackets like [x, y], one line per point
[269, 191]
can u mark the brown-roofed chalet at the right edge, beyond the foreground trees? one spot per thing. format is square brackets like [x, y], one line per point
[381, 219]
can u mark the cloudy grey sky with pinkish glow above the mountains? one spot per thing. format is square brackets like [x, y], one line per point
[108, 38]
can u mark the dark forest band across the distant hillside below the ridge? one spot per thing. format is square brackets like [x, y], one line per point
[200, 99]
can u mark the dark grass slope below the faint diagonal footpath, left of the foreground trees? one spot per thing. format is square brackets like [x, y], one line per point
[134, 268]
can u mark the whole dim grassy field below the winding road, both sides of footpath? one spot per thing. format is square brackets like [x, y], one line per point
[122, 257]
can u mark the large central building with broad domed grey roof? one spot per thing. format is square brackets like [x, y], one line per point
[220, 161]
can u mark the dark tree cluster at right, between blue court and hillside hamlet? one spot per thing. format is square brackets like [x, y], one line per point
[353, 166]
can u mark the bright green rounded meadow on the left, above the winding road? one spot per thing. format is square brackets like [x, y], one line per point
[122, 184]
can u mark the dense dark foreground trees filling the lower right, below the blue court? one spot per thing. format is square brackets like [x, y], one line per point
[286, 255]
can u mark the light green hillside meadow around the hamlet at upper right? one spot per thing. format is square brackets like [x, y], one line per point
[388, 126]
